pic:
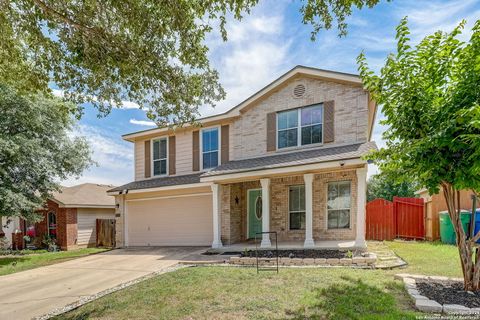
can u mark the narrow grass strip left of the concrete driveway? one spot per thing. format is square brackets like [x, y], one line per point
[12, 264]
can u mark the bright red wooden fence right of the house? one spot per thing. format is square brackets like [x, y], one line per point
[404, 218]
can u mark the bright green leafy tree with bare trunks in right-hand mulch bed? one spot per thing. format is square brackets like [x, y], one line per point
[431, 99]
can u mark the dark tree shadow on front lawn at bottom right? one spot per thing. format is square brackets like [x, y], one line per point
[351, 299]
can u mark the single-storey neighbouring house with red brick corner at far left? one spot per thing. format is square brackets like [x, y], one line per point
[70, 215]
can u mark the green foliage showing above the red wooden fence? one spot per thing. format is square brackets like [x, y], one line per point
[386, 187]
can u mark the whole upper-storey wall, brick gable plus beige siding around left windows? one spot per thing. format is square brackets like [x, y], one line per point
[247, 133]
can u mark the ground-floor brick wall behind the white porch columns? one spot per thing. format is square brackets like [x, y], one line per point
[234, 215]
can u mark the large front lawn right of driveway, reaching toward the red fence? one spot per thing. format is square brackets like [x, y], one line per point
[239, 293]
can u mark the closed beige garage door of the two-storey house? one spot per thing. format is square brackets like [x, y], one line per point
[179, 221]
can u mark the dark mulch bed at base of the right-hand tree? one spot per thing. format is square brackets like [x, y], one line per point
[448, 292]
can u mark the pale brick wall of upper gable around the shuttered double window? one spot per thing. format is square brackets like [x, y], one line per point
[249, 137]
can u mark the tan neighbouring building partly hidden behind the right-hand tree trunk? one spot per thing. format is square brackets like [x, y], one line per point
[435, 204]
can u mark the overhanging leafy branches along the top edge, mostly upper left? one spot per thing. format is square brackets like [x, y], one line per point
[149, 52]
